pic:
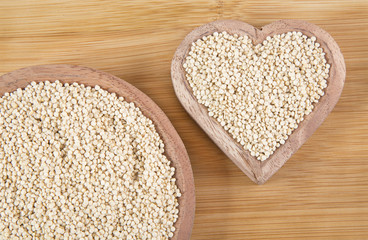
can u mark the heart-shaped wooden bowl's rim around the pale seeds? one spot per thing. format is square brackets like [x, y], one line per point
[256, 170]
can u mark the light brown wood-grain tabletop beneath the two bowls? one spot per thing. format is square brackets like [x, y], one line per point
[321, 192]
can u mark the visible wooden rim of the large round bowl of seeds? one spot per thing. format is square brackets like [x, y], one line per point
[174, 147]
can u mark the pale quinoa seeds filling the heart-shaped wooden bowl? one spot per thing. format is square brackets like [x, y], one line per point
[259, 94]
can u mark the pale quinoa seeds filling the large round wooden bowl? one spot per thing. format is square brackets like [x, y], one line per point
[80, 163]
